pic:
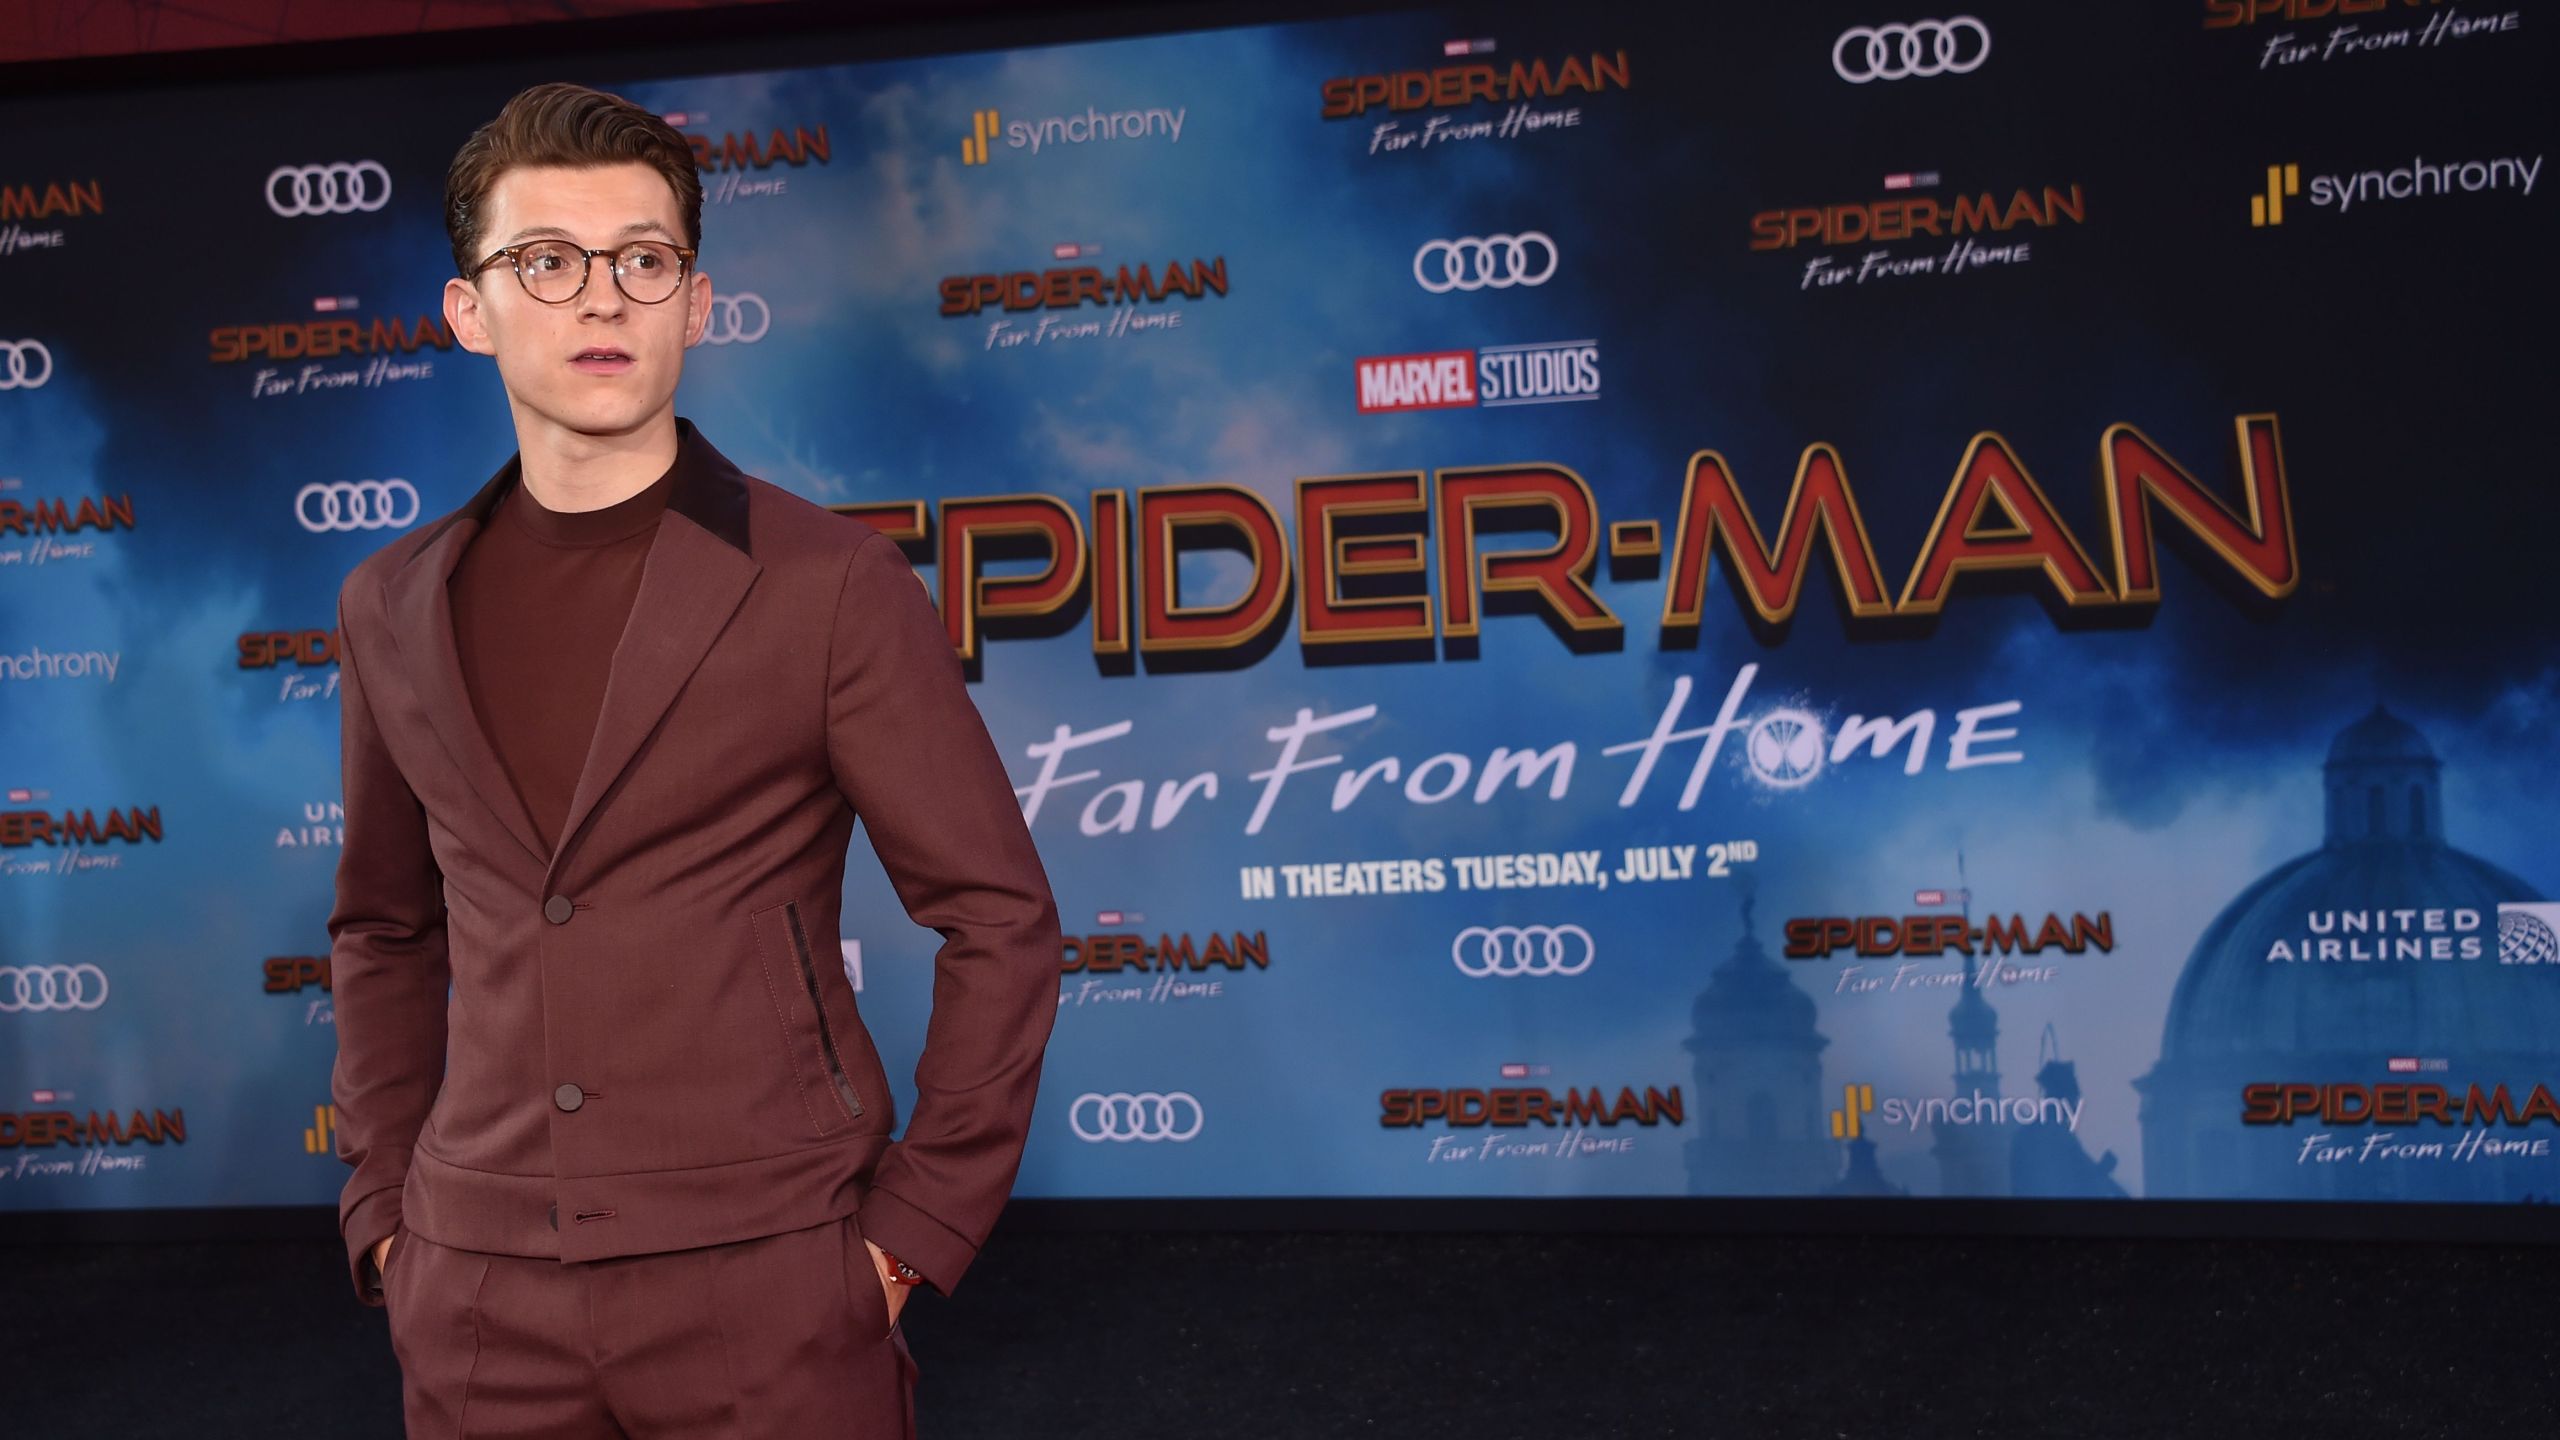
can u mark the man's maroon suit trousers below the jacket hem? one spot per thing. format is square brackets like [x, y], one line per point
[782, 1336]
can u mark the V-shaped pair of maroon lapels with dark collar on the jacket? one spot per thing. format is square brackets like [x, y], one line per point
[692, 580]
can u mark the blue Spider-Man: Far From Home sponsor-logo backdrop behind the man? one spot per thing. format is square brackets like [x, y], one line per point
[1581, 601]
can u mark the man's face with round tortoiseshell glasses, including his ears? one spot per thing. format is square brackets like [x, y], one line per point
[547, 352]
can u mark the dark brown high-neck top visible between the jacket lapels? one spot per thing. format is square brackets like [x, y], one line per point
[539, 606]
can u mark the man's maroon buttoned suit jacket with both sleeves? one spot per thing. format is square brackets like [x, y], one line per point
[652, 1042]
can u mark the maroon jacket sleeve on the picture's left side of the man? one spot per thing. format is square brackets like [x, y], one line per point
[388, 972]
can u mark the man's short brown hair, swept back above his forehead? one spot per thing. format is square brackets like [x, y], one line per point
[564, 124]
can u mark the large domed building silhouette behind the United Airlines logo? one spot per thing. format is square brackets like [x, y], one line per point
[2382, 944]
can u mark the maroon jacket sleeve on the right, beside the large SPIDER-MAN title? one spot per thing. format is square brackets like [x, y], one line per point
[923, 775]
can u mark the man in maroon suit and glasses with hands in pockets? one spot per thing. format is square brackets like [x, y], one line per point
[621, 1141]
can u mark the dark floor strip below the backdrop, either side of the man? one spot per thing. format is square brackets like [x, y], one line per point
[1481, 1336]
